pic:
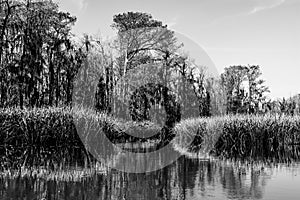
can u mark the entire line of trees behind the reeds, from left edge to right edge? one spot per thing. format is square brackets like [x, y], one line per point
[40, 61]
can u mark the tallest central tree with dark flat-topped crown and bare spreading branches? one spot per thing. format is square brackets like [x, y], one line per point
[140, 40]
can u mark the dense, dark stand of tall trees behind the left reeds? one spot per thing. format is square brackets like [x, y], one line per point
[38, 61]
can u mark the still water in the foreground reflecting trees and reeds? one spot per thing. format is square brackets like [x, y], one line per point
[187, 178]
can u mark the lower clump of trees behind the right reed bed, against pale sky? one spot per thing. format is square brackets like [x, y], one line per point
[246, 93]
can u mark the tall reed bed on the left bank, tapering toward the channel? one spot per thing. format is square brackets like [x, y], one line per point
[58, 137]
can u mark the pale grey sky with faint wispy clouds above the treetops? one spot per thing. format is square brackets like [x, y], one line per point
[231, 32]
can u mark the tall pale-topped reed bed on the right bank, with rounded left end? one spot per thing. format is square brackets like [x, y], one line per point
[254, 137]
